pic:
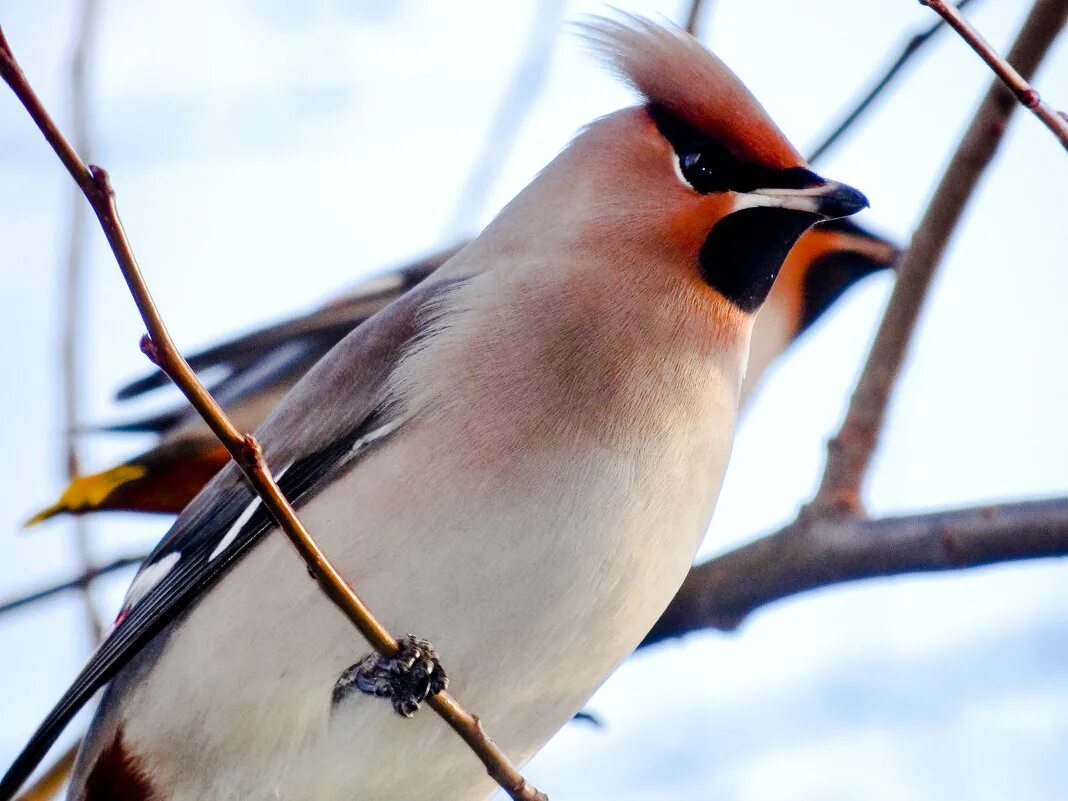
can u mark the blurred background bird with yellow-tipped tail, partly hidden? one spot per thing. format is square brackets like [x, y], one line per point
[262, 366]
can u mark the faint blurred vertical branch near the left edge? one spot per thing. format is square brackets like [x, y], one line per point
[73, 291]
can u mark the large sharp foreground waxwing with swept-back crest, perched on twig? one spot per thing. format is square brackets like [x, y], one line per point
[514, 462]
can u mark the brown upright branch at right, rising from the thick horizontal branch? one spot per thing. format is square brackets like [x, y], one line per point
[851, 451]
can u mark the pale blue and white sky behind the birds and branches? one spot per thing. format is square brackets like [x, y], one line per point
[268, 154]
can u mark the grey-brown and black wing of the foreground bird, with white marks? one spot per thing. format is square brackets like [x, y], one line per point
[336, 415]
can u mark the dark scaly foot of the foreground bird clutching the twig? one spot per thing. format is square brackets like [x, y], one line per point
[409, 679]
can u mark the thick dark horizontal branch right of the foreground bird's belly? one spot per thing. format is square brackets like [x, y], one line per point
[819, 553]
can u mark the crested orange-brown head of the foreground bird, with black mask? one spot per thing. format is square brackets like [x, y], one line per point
[698, 179]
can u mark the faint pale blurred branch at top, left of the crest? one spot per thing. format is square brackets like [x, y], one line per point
[511, 115]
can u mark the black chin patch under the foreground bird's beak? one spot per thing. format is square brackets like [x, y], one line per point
[744, 253]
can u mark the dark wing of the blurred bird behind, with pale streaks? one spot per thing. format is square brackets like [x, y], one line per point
[287, 350]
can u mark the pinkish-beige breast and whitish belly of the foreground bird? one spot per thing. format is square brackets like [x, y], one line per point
[532, 520]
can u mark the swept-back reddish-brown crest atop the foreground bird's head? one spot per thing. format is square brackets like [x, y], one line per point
[672, 70]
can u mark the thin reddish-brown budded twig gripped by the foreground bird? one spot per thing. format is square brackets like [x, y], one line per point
[159, 345]
